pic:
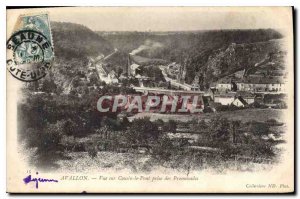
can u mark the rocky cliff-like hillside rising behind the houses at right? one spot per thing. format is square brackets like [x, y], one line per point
[236, 57]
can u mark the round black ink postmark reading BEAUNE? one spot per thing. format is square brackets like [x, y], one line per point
[29, 55]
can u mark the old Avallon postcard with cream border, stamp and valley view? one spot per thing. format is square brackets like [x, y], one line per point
[150, 100]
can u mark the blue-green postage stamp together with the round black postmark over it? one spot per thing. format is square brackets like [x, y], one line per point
[30, 48]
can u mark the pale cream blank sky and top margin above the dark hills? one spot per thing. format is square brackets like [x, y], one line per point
[171, 18]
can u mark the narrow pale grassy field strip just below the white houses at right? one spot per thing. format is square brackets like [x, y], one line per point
[244, 115]
